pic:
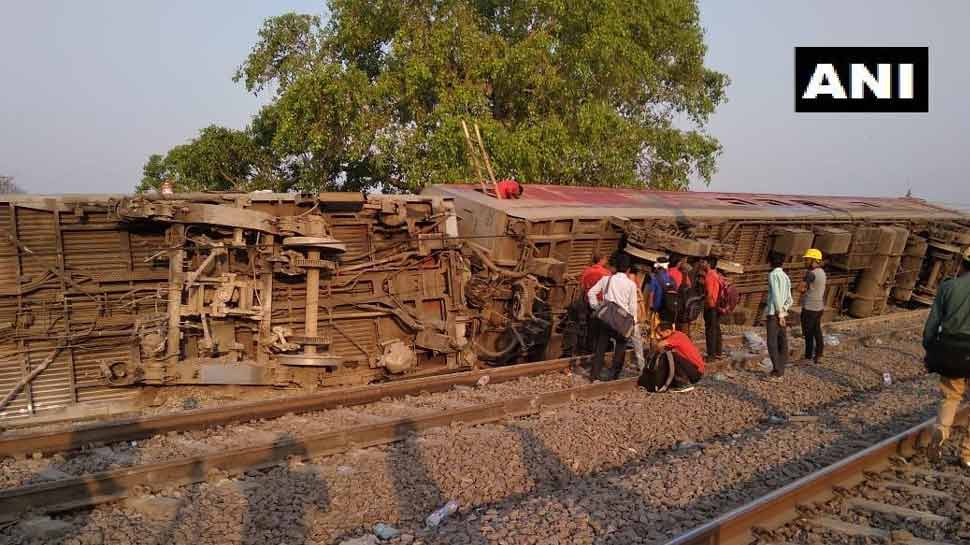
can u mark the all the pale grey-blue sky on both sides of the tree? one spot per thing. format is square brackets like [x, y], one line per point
[90, 89]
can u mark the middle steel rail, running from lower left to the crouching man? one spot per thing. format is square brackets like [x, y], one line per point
[115, 485]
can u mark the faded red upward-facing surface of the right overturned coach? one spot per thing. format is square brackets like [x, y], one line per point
[542, 202]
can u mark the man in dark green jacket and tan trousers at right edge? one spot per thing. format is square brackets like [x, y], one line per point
[946, 339]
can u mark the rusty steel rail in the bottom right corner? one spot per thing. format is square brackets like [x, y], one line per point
[779, 507]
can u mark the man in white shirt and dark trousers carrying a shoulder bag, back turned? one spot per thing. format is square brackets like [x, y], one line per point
[622, 289]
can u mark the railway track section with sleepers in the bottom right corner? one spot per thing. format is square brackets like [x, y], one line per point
[838, 500]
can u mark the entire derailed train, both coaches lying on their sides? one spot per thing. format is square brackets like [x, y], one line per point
[102, 293]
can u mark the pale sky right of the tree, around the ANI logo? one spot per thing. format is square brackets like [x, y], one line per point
[769, 148]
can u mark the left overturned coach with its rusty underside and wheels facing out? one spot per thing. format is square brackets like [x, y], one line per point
[271, 289]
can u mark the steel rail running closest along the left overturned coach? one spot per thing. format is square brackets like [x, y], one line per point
[141, 427]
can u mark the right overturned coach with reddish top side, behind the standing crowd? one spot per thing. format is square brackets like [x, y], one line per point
[878, 250]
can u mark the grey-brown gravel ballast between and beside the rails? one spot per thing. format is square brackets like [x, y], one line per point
[630, 468]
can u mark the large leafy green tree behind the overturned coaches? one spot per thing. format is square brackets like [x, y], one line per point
[603, 92]
